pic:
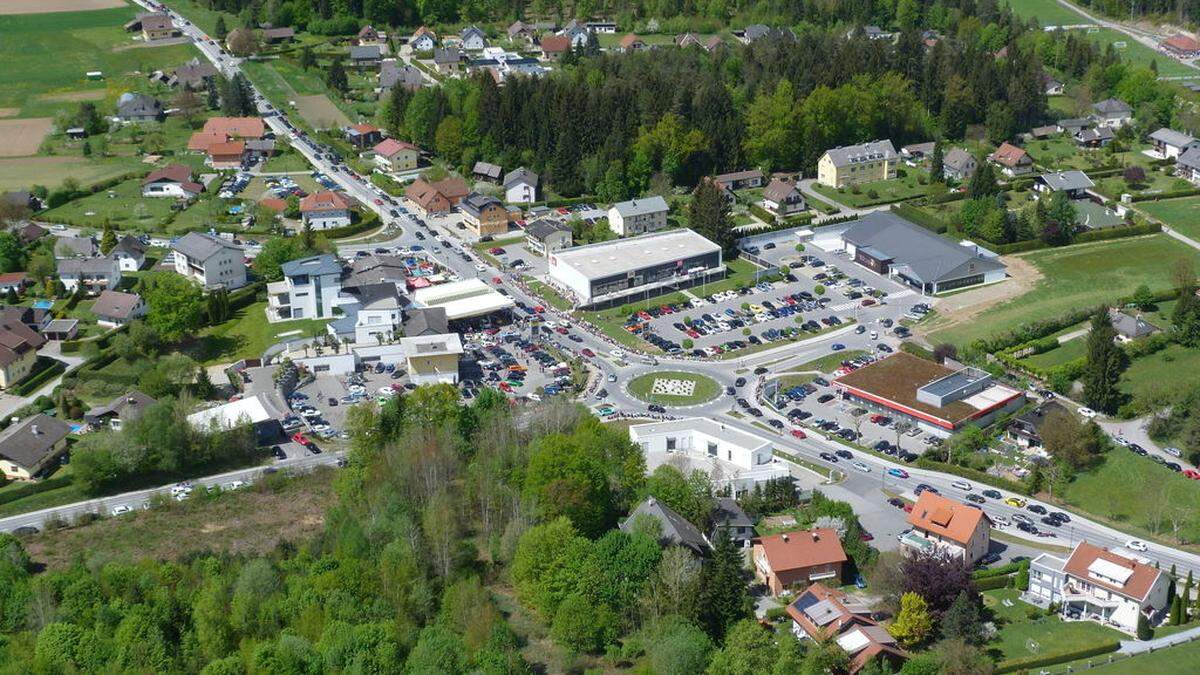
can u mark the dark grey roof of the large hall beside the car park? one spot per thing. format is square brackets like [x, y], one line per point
[929, 259]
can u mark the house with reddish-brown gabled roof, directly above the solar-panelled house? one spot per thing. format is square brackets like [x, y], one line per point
[794, 560]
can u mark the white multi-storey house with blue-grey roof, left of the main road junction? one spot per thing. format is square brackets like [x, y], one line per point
[310, 289]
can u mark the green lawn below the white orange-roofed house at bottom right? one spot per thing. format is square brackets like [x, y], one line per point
[1019, 636]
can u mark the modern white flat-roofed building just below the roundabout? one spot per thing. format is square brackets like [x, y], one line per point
[729, 456]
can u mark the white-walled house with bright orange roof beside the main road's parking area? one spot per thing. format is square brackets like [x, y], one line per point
[941, 525]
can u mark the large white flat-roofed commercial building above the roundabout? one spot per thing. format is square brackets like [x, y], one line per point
[608, 272]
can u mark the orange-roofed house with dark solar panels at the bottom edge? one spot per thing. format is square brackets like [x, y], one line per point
[821, 613]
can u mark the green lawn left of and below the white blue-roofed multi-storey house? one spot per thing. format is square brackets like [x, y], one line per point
[248, 336]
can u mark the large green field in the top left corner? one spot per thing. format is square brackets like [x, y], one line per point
[47, 56]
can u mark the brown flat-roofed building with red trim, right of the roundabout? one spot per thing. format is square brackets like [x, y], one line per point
[938, 399]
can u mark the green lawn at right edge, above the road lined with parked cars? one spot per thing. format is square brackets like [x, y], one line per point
[1130, 491]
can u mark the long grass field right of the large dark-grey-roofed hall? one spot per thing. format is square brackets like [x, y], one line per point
[1077, 277]
